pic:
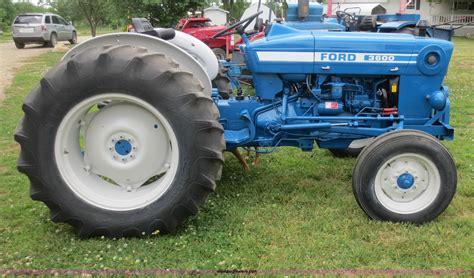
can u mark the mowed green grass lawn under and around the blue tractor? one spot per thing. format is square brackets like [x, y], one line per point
[295, 210]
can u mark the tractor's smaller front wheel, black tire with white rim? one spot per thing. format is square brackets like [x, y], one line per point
[404, 176]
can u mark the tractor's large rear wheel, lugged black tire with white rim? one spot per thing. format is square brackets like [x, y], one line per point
[141, 163]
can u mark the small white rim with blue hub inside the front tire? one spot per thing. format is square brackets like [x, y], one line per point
[407, 183]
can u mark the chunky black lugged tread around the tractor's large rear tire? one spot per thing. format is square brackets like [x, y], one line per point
[113, 60]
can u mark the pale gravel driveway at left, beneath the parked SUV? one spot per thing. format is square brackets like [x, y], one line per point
[12, 58]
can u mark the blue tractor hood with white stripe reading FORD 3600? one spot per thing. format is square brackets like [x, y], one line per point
[287, 50]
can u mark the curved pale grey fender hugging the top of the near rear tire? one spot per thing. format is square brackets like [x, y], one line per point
[186, 61]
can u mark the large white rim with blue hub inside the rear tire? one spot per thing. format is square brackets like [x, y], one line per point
[104, 173]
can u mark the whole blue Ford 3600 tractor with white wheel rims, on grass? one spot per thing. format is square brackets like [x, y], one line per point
[125, 136]
